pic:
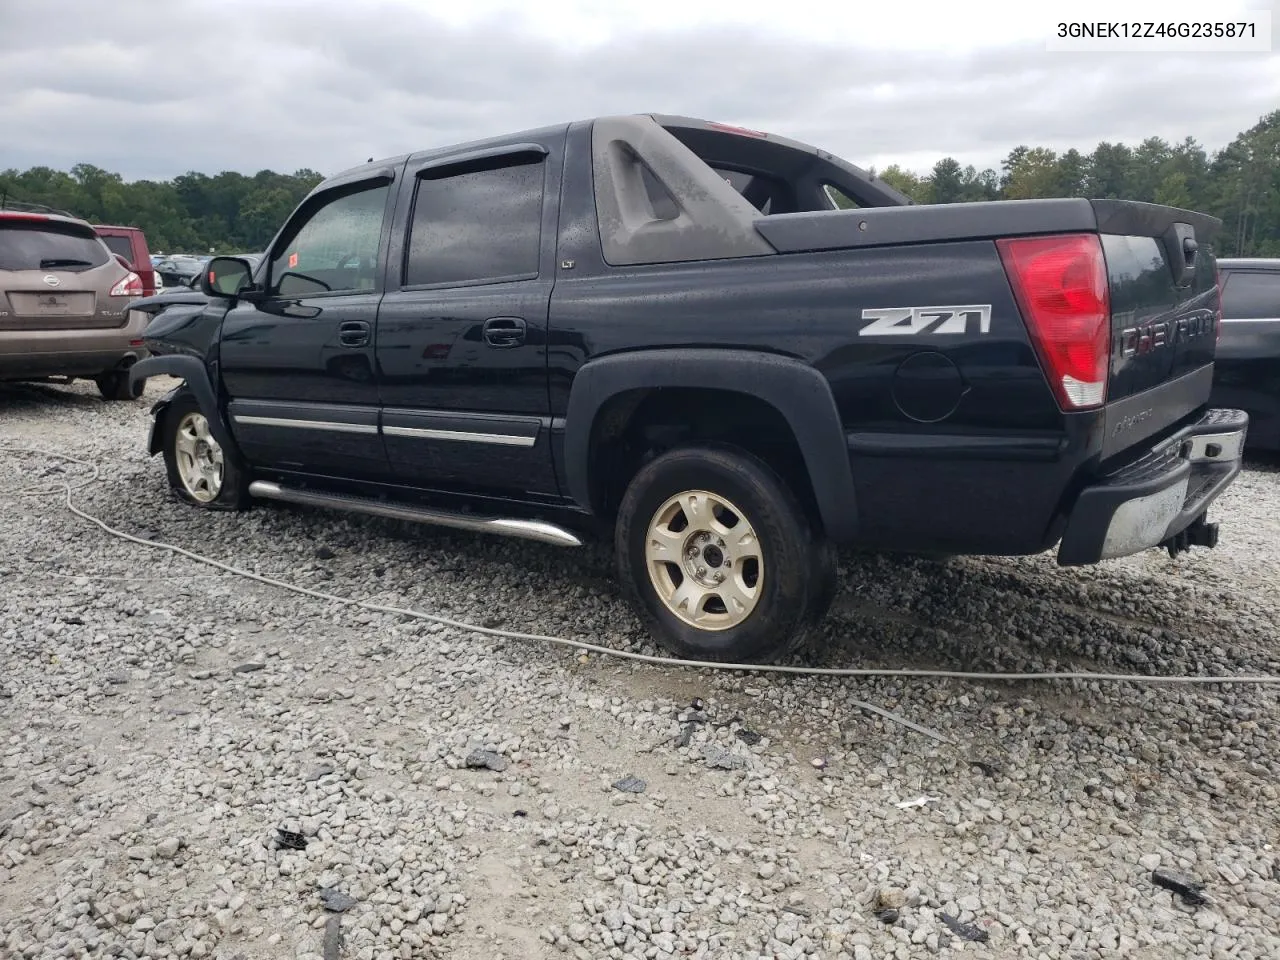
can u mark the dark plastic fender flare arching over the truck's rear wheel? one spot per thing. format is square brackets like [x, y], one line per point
[799, 392]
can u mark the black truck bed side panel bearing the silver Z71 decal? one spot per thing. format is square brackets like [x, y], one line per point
[954, 437]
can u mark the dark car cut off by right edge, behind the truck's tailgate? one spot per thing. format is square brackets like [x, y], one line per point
[1247, 372]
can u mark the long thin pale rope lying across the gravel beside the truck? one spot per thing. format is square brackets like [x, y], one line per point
[627, 655]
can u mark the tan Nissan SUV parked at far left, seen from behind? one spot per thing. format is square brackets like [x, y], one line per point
[63, 305]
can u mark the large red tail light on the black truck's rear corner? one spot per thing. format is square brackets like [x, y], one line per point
[1060, 285]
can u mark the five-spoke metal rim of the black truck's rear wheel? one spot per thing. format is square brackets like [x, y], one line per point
[705, 560]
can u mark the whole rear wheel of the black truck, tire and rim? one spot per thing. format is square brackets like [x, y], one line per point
[720, 557]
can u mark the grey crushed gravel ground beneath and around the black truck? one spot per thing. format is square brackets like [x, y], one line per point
[163, 721]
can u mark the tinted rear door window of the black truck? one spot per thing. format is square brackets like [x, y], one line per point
[478, 225]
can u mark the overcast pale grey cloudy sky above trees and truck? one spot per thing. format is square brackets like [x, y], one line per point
[154, 90]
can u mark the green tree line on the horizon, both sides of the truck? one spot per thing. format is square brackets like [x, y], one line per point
[232, 212]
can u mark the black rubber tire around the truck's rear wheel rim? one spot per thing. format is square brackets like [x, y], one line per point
[796, 586]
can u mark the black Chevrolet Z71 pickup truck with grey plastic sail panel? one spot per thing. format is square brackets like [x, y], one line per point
[725, 350]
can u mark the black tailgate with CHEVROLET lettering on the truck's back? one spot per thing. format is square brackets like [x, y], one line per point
[1165, 308]
